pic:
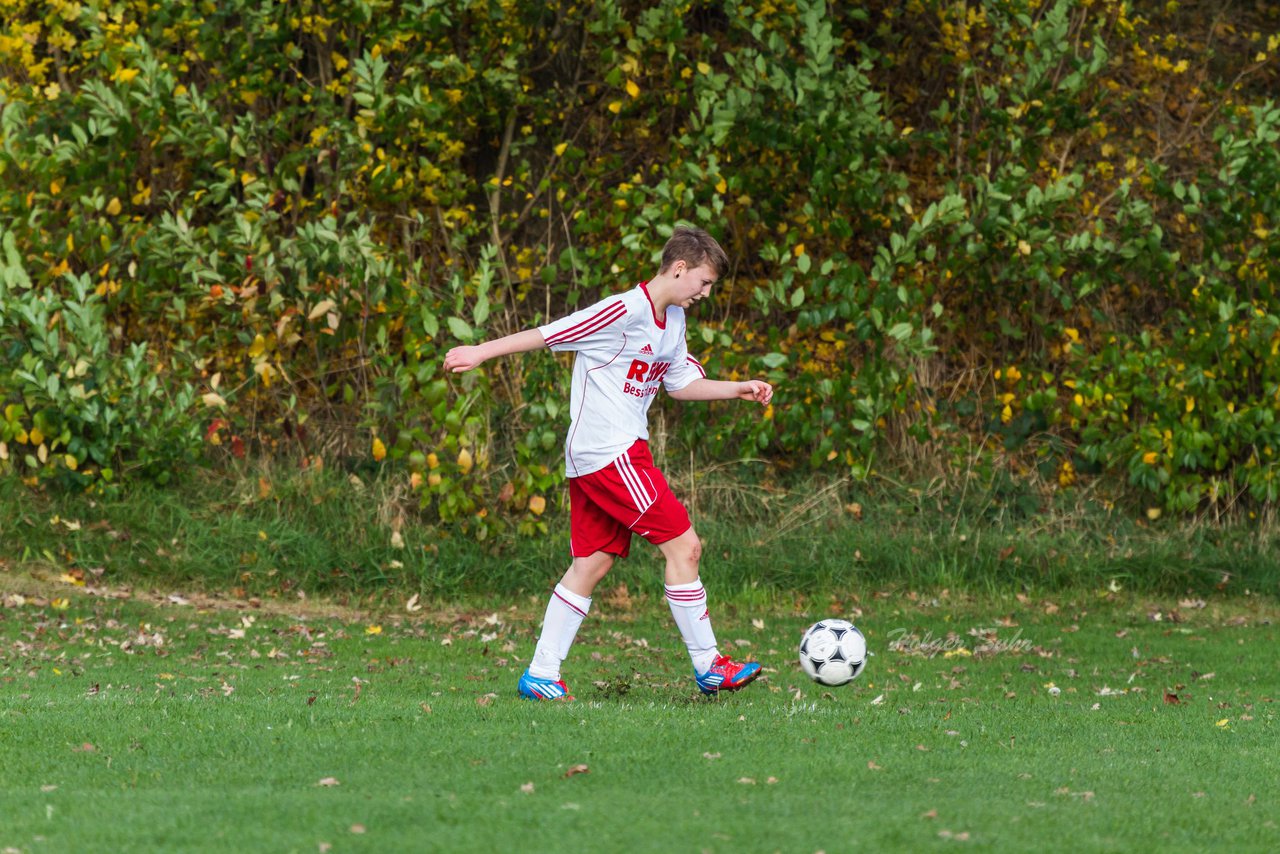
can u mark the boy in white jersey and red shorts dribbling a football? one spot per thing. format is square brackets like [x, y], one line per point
[627, 346]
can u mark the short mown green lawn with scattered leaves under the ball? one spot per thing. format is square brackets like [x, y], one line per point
[1080, 725]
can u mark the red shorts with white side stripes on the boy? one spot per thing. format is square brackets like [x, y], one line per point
[629, 495]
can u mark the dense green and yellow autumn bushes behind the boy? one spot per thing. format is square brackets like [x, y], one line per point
[1027, 230]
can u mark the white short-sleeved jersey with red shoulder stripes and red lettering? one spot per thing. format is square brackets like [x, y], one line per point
[624, 353]
